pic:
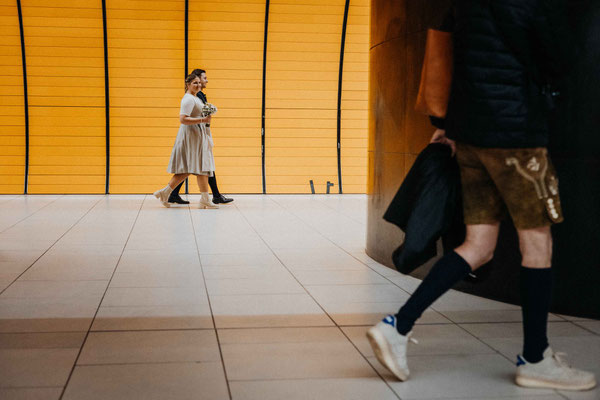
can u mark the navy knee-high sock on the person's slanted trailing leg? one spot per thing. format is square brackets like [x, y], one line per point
[443, 275]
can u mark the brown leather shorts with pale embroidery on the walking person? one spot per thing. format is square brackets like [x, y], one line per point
[518, 182]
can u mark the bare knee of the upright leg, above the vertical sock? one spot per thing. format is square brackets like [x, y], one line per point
[536, 247]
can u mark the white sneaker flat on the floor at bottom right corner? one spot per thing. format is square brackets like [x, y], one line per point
[552, 372]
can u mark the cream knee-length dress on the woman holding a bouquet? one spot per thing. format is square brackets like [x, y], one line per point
[192, 151]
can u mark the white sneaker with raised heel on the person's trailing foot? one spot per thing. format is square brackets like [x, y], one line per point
[390, 347]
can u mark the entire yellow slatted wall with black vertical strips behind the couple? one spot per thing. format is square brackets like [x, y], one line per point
[146, 61]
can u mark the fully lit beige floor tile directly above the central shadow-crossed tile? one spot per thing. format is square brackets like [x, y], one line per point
[267, 285]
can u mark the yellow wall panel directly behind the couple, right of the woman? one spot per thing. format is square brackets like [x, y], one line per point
[226, 39]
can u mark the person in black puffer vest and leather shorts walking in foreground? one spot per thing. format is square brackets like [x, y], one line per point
[507, 56]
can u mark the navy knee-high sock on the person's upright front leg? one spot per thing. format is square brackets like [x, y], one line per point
[536, 295]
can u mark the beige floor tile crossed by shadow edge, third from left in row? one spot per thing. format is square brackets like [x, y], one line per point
[267, 310]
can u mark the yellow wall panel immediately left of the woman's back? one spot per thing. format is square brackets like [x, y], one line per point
[146, 51]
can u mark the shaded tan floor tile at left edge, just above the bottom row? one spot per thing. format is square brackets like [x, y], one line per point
[36, 367]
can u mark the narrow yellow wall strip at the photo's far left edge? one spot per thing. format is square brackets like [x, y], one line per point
[12, 111]
